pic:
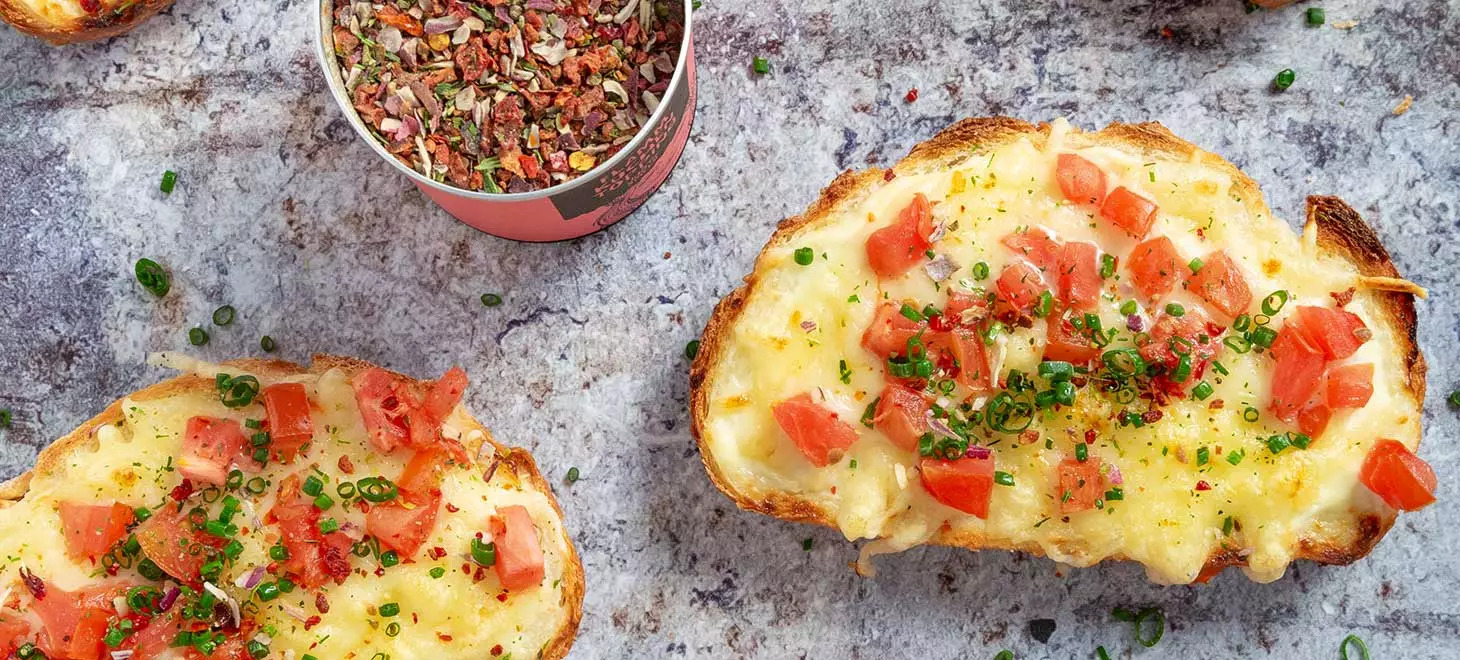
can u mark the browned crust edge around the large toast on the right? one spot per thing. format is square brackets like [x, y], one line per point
[1341, 231]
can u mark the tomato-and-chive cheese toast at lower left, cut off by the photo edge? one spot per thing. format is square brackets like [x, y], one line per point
[440, 601]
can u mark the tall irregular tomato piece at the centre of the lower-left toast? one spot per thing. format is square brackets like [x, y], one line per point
[315, 557]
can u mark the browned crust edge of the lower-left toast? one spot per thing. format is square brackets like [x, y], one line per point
[518, 459]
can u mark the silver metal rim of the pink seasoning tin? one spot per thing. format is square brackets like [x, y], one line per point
[337, 84]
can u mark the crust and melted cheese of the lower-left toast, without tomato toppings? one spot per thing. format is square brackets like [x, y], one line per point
[100, 455]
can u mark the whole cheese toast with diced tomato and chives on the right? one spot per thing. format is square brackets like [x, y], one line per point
[1186, 486]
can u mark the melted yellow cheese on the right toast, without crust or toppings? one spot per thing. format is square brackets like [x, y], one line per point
[1164, 522]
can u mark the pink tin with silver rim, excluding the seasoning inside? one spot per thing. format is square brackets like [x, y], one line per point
[592, 202]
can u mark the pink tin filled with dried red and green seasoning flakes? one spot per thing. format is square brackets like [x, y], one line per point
[535, 120]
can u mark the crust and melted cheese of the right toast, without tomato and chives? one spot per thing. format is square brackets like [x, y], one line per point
[756, 353]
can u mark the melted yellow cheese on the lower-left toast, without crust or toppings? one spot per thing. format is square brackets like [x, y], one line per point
[449, 617]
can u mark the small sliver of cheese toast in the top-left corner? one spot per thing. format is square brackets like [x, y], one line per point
[72, 21]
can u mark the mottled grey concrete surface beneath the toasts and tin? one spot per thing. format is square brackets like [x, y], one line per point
[284, 214]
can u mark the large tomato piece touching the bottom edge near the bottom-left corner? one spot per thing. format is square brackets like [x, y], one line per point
[74, 623]
